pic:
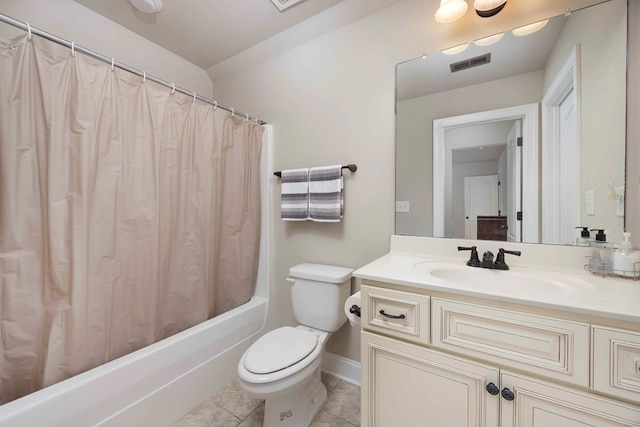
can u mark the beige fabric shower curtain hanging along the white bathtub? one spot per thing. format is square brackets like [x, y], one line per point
[127, 213]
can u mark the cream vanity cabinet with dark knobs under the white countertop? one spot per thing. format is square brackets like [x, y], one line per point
[486, 366]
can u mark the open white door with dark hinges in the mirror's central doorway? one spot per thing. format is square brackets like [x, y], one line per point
[514, 171]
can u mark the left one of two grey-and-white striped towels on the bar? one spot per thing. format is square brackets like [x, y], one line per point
[294, 197]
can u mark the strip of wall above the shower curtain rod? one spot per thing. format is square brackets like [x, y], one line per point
[71, 21]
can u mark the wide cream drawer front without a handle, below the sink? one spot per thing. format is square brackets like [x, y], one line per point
[550, 347]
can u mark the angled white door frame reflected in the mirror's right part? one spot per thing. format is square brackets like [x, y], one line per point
[567, 79]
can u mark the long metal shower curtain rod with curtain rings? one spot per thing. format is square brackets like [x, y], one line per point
[32, 30]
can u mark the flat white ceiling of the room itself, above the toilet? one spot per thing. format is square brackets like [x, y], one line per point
[206, 32]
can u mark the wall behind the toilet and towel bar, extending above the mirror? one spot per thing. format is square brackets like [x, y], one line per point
[331, 100]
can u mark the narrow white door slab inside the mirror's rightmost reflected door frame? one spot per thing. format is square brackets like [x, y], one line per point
[569, 179]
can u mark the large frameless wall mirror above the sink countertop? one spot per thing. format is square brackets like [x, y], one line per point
[533, 127]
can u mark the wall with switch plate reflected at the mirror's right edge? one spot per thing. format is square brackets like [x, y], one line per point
[603, 58]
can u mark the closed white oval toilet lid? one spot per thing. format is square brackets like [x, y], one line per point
[279, 349]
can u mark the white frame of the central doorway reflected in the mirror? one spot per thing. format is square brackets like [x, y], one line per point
[443, 155]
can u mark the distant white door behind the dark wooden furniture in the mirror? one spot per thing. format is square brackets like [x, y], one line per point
[480, 198]
